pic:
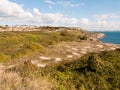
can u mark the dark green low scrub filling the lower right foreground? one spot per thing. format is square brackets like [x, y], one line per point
[92, 72]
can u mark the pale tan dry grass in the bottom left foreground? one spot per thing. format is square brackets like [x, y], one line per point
[13, 81]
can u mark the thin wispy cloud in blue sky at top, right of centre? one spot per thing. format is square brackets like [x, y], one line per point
[70, 4]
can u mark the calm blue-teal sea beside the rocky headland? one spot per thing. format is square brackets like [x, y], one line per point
[111, 37]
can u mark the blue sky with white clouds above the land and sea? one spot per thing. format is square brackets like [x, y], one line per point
[87, 14]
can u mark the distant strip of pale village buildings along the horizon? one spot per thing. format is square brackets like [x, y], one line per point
[33, 28]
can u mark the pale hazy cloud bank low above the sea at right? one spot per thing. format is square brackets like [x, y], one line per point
[105, 22]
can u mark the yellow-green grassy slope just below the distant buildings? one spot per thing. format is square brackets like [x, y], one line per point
[16, 44]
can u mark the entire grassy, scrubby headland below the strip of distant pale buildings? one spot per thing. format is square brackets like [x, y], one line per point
[91, 71]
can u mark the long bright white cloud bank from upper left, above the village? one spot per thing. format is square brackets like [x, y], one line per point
[16, 14]
